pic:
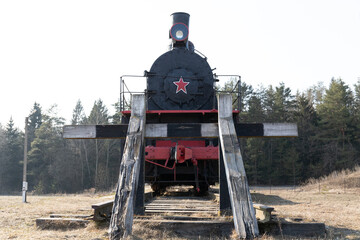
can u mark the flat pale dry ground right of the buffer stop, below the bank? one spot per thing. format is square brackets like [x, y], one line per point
[338, 209]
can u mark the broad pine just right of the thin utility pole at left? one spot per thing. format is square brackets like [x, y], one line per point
[51, 166]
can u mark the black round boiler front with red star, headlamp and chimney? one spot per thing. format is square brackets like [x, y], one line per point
[180, 79]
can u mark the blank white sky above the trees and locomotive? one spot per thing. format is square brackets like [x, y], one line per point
[61, 51]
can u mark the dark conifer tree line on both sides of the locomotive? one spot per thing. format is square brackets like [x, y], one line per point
[328, 120]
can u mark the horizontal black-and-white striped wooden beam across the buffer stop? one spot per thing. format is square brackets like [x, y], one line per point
[181, 130]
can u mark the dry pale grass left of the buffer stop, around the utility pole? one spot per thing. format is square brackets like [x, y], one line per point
[18, 219]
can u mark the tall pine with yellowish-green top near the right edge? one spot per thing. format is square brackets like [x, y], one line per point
[337, 127]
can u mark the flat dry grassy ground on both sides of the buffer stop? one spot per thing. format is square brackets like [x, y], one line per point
[339, 210]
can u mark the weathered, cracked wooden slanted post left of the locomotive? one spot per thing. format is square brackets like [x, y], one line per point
[123, 208]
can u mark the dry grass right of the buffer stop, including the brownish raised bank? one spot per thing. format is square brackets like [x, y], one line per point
[333, 200]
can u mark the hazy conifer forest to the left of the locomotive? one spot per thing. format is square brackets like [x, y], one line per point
[56, 164]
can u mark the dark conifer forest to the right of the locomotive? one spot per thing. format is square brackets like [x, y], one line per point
[328, 121]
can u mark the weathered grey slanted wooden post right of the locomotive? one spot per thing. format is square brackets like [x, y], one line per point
[241, 203]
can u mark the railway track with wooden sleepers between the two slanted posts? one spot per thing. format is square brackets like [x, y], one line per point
[186, 216]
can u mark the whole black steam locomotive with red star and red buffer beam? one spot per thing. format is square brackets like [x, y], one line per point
[180, 89]
